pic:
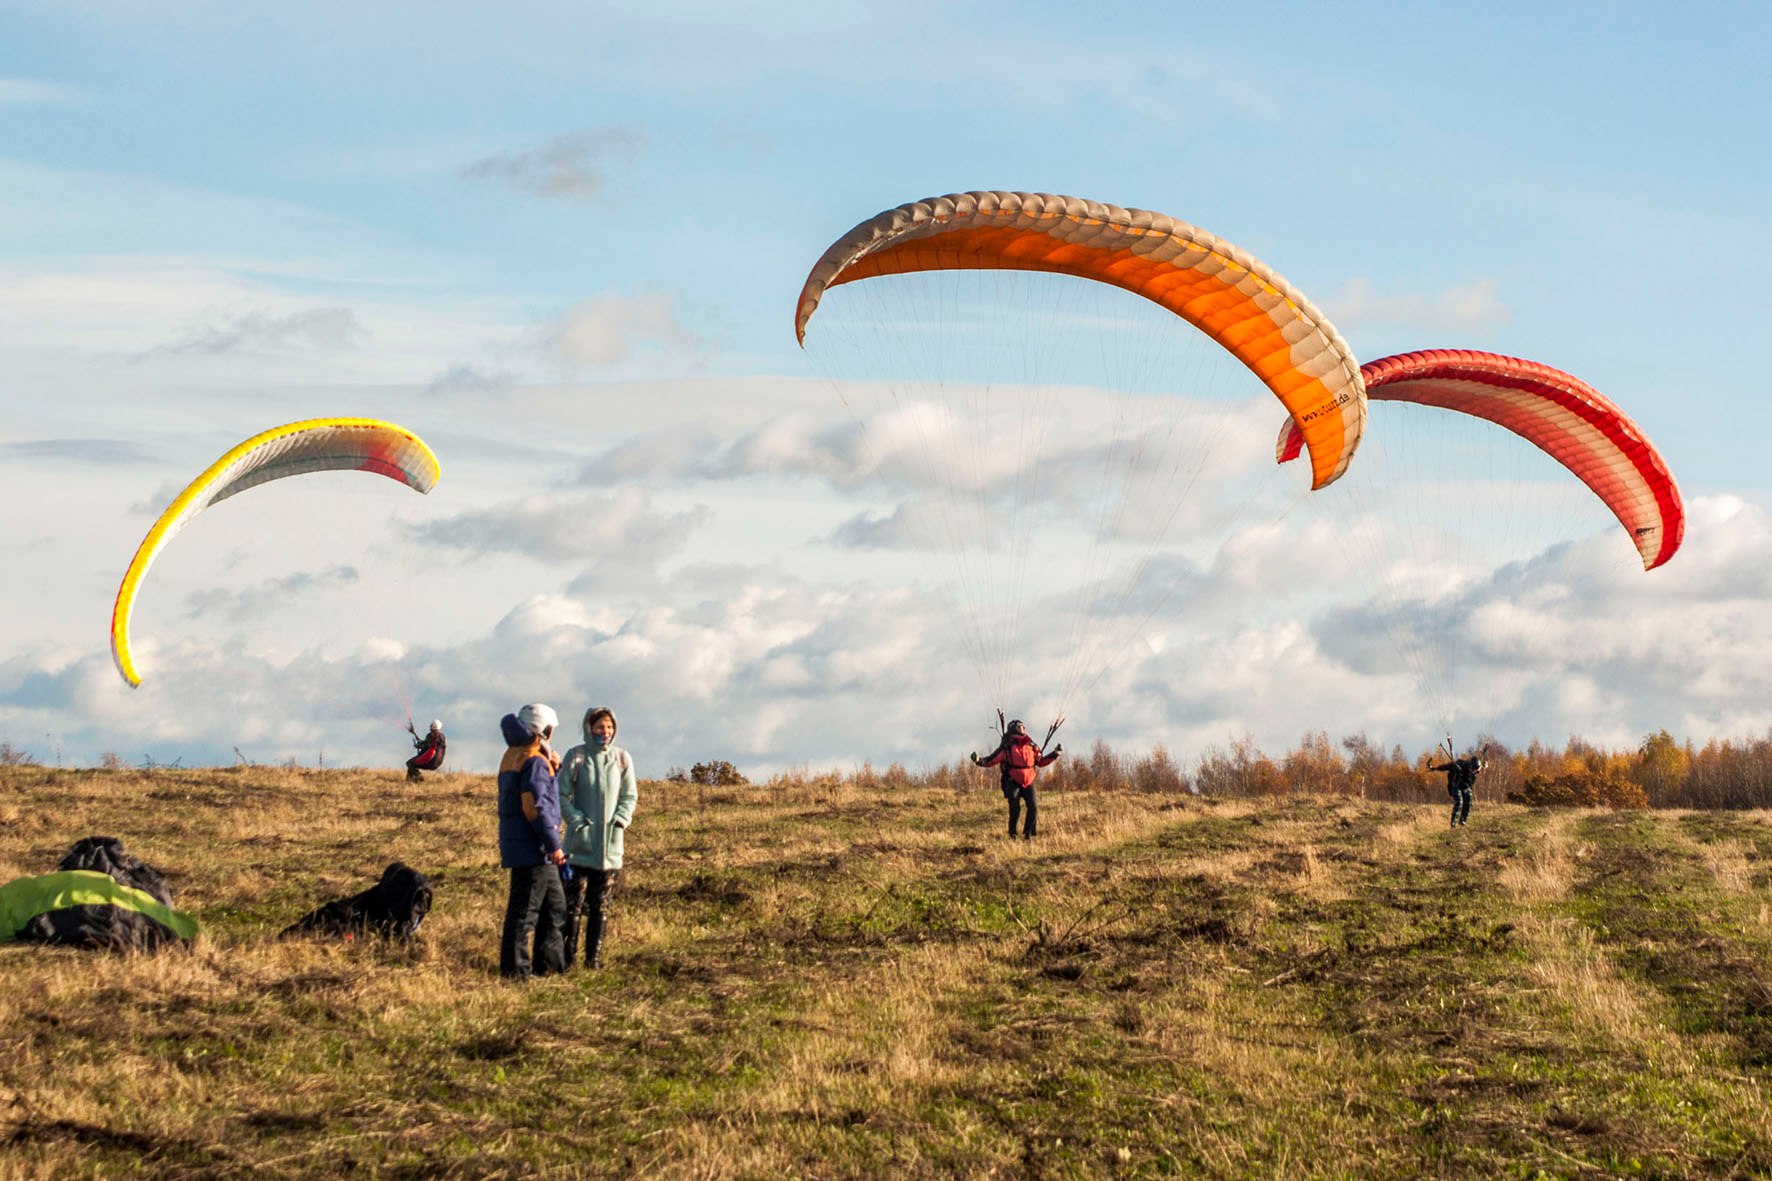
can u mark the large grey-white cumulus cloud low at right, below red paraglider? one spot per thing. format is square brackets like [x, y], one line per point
[1578, 643]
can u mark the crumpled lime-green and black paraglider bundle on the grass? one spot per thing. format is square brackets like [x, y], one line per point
[102, 898]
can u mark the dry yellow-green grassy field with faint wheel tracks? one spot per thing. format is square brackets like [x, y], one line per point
[816, 982]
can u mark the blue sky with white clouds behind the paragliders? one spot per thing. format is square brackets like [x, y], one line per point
[563, 244]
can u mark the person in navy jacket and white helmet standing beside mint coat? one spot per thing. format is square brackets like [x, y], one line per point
[529, 847]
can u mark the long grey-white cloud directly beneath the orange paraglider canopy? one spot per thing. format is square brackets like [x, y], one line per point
[1195, 469]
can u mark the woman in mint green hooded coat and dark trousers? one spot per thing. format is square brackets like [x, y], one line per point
[598, 801]
